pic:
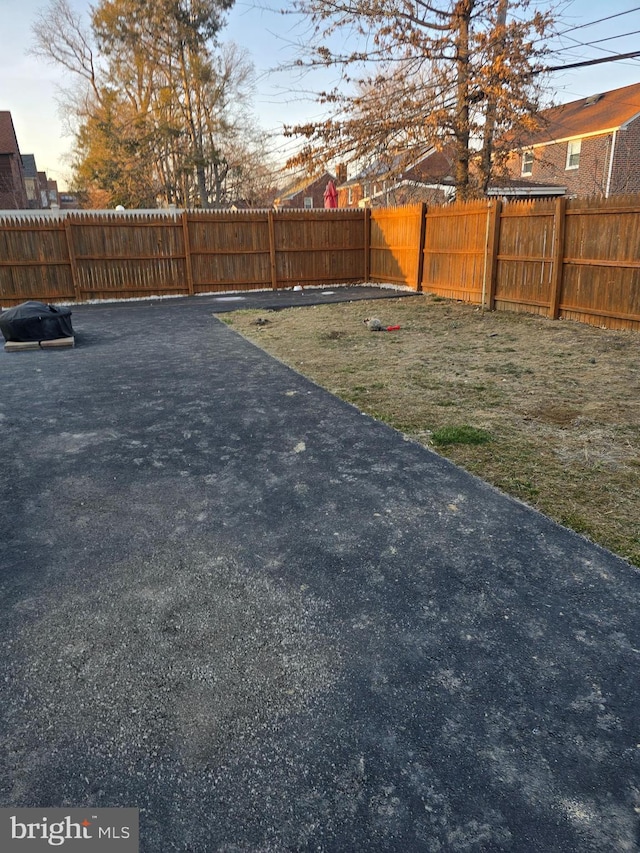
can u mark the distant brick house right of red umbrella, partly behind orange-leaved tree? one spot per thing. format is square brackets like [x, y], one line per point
[430, 179]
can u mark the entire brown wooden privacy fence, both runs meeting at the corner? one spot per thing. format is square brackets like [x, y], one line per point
[577, 259]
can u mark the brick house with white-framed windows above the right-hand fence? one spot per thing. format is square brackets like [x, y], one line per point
[590, 146]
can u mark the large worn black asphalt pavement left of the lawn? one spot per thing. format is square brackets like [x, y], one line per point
[273, 624]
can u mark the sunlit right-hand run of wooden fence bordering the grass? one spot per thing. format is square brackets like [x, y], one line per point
[577, 259]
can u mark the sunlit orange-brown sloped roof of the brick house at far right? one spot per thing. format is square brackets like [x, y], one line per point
[605, 111]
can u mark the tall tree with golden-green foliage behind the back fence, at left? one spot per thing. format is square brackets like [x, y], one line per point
[162, 100]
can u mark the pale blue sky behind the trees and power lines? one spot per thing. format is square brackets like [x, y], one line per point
[29, 87]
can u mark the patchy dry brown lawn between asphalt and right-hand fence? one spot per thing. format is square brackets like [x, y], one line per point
[558, 401]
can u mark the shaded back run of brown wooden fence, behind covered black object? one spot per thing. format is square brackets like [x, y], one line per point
[84, 256]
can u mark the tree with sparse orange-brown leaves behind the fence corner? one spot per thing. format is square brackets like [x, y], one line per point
[427, 74]
